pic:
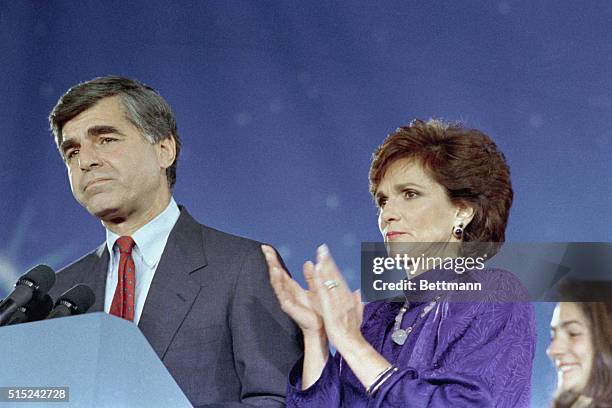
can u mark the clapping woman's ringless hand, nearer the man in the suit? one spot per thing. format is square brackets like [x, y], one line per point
[301, 305]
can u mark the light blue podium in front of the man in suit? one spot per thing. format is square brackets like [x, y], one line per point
[103, 360]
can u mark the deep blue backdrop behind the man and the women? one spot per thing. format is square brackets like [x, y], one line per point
[280, 106]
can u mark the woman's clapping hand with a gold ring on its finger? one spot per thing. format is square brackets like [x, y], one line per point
[341, 309]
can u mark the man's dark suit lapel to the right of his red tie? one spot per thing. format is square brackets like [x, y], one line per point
[174, 286]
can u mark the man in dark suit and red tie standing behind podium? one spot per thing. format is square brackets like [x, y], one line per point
[200, 296]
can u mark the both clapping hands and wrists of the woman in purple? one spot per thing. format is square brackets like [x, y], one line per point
[328, 309]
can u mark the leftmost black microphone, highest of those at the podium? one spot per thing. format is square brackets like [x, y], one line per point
[36, 282]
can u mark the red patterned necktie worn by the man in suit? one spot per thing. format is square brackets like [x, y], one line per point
[123, 301]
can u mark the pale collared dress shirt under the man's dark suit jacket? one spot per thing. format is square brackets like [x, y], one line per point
[150, 243]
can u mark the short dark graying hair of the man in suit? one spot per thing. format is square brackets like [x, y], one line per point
[143, 106]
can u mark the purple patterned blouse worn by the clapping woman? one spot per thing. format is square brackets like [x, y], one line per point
[461, 354]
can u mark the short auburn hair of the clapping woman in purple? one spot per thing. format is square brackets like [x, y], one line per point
[466, 162]
